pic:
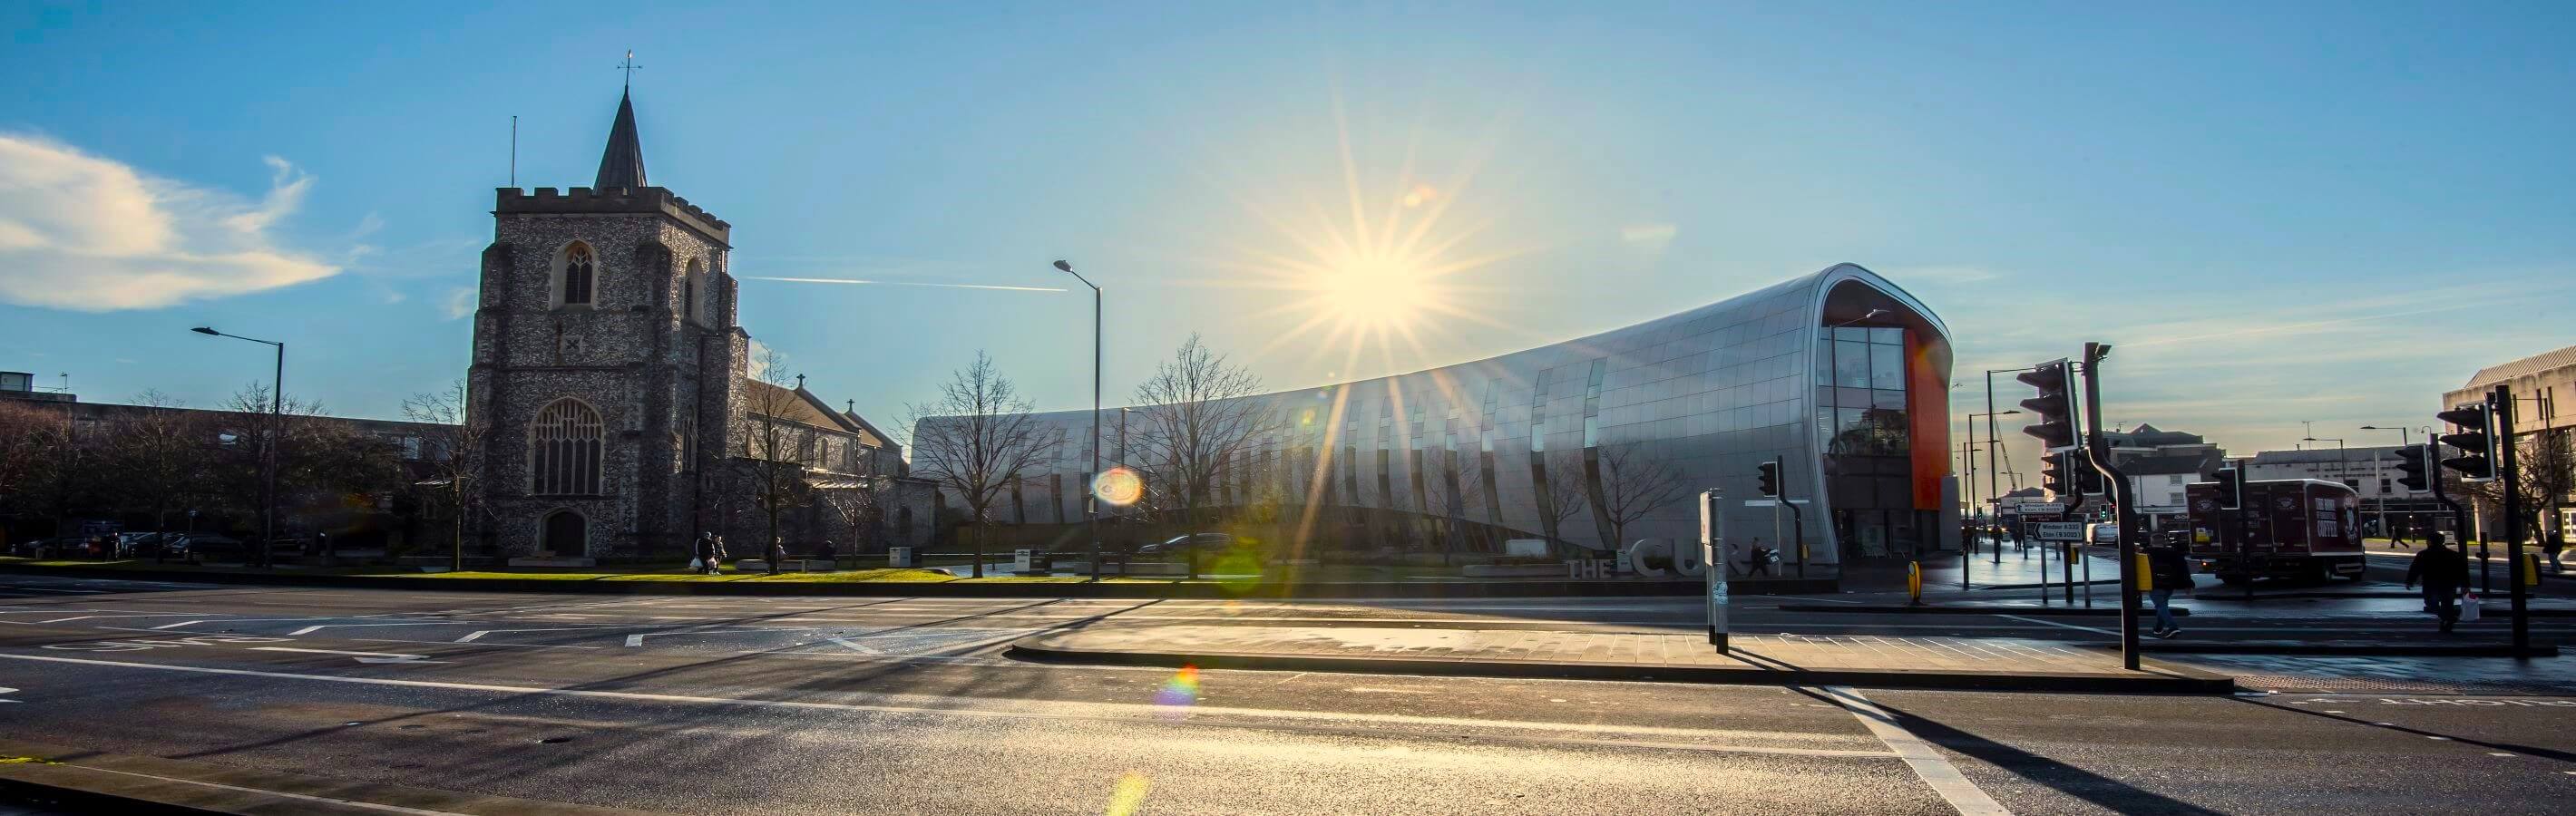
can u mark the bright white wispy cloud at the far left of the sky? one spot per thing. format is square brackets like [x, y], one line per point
[94, 236]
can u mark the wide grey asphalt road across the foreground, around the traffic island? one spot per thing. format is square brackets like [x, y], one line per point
[905, 707]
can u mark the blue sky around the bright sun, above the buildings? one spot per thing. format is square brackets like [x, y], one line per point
[2294, 212]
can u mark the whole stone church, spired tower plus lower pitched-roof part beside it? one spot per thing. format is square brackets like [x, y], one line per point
[617, 398]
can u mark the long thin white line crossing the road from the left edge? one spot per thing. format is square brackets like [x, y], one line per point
[1055, 709]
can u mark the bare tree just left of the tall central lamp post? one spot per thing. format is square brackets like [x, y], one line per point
[975, 441]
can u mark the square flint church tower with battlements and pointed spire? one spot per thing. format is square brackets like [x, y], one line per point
[607, 362]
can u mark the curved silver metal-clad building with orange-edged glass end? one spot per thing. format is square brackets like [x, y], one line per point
[1841, 377]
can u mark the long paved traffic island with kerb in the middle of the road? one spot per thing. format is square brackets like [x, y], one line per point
[1673, 658]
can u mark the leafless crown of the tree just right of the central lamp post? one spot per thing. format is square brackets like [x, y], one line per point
[1191, 421]
